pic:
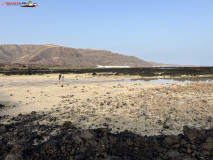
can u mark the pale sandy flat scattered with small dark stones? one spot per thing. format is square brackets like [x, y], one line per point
[107, 101]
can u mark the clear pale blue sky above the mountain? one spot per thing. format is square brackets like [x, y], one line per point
[166, 31]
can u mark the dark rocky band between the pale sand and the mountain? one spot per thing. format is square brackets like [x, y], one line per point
[20, 69]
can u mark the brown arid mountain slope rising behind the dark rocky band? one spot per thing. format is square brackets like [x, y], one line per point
[58, 55]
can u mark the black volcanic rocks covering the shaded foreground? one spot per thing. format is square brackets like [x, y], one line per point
[27, 138]
